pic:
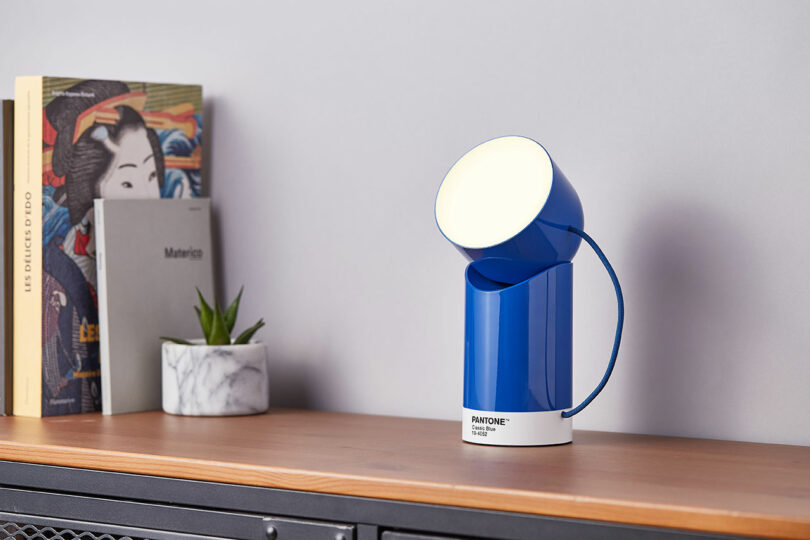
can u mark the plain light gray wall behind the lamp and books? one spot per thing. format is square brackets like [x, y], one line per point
[685, 127]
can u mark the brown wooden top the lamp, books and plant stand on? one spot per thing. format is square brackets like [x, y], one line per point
[706, 485]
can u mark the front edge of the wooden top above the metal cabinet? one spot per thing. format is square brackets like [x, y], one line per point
[529, 502]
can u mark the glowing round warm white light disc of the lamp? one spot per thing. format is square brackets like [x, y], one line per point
[493, 192]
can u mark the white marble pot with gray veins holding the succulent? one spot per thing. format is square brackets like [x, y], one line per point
[214, 380]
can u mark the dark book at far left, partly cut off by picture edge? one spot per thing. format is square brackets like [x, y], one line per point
[6, 170]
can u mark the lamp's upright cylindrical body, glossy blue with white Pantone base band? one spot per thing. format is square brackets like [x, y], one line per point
[517, 358]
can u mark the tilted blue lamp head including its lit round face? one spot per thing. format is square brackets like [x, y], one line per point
[507, 206]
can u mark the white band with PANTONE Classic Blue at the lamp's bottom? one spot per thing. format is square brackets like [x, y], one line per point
[515, 428]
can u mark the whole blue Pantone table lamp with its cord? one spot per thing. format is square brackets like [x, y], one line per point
[509, 209]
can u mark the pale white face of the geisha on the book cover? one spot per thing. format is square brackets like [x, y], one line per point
[132, 172]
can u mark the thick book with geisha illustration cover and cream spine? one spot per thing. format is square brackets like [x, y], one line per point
[77, 140]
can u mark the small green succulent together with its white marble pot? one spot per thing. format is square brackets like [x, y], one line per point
[217, 375]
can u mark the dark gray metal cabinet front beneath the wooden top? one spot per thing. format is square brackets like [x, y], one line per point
[50, 502]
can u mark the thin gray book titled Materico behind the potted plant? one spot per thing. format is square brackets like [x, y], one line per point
[150, 255]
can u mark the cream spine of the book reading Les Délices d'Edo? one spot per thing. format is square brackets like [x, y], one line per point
[27, 289]
